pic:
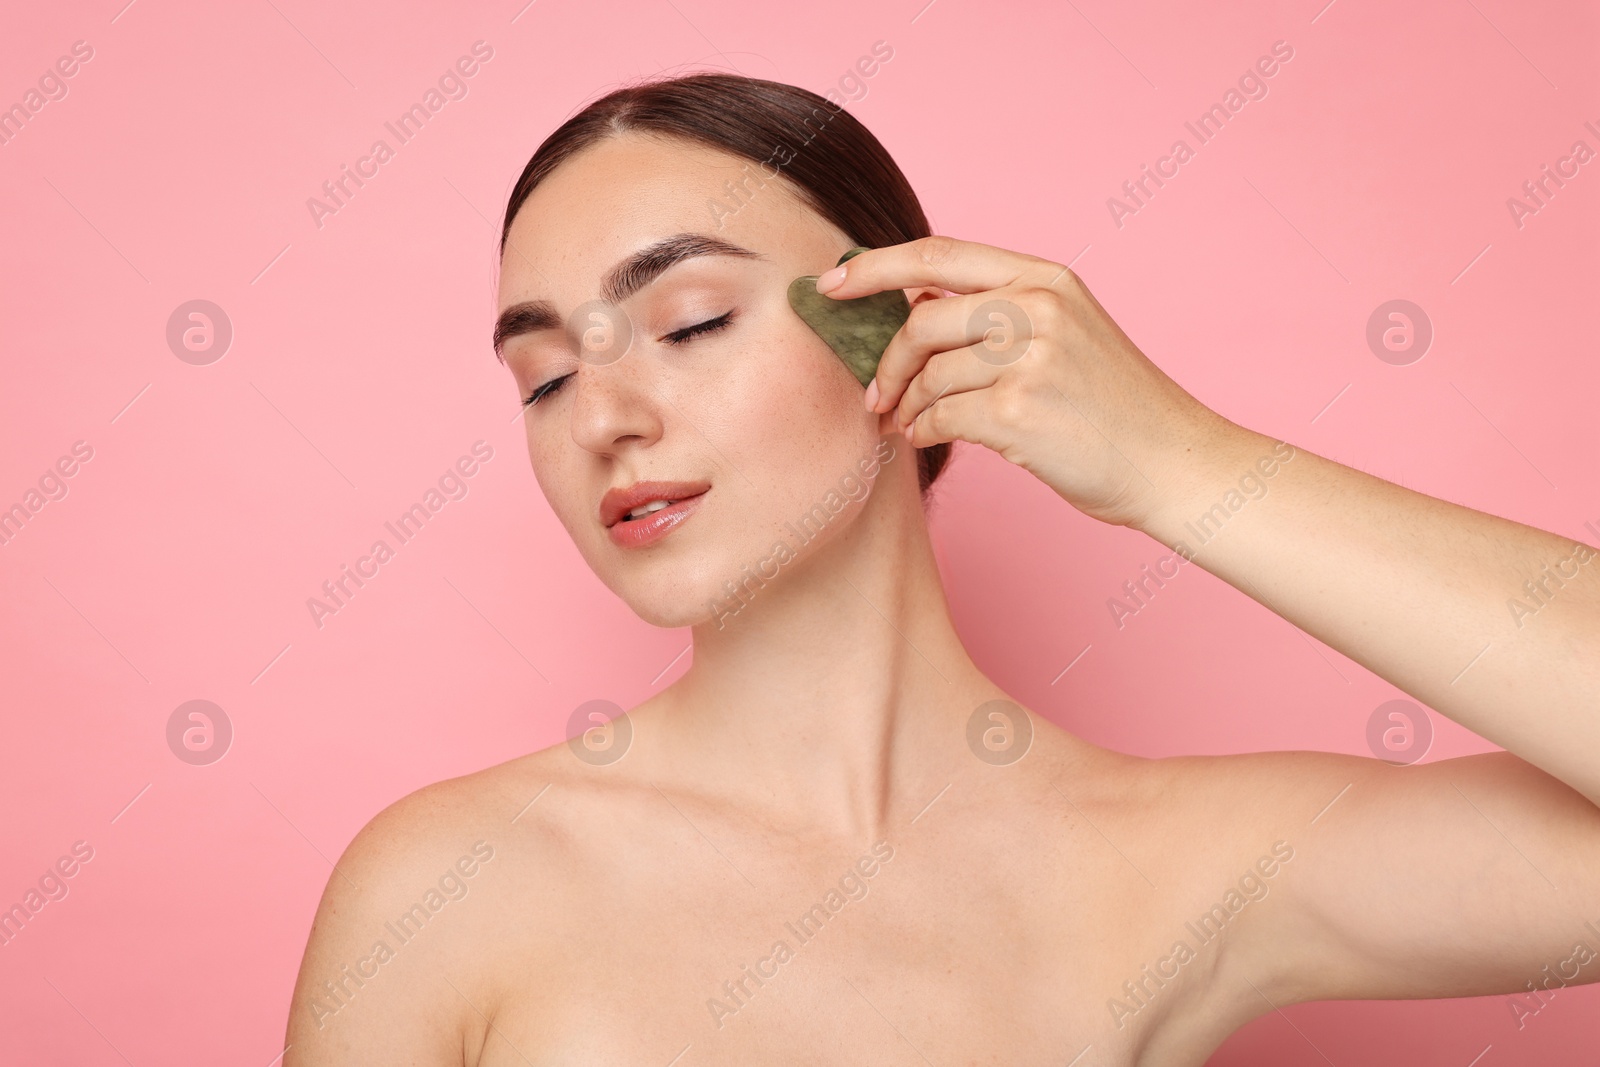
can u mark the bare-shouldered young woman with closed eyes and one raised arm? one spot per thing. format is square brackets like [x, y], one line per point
[834, 841]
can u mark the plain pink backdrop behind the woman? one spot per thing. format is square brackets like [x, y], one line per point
[222, 497]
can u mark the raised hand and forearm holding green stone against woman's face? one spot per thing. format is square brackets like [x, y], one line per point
[1489, 621]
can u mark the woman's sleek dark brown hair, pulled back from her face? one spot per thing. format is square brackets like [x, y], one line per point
[834, 164]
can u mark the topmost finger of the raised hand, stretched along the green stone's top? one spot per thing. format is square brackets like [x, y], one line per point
[943, 262]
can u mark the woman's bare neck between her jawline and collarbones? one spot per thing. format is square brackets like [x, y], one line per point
[839, 689]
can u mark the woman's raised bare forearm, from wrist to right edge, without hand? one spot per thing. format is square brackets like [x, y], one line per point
[1492, 623]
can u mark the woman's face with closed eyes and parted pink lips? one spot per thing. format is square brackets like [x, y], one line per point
[753, 406]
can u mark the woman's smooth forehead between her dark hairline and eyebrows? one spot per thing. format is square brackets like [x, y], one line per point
[630, 191]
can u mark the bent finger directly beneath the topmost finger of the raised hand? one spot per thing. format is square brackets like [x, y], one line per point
[946, 324]
